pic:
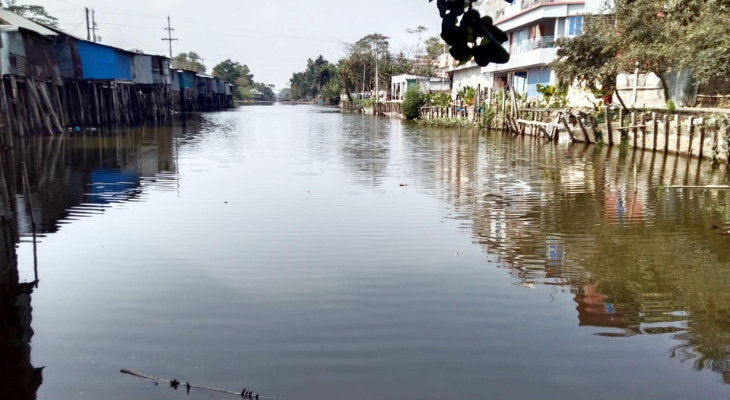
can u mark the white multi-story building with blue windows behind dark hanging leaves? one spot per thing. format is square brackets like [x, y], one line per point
[532, 27]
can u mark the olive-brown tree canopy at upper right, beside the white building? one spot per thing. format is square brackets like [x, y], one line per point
[653, 35]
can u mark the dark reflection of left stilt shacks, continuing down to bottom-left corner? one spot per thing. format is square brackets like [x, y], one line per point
[70, 176]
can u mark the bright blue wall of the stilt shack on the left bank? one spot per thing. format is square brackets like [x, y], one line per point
[103, 62]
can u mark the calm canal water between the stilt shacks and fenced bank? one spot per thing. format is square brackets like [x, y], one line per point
[306, 254]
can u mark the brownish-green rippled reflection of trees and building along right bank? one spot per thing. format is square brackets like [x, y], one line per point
[639, 260]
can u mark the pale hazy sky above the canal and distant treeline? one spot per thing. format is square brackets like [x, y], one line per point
[274, 37]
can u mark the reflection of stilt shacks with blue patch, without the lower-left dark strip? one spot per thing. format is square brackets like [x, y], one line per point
[80, 173]
